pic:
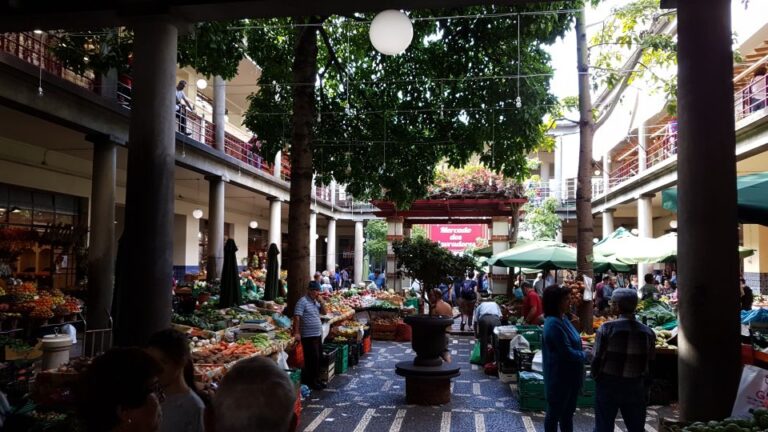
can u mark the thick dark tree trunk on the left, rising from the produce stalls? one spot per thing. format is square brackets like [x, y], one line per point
[304, 71]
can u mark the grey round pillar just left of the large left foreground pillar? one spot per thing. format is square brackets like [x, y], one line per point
[101, 245]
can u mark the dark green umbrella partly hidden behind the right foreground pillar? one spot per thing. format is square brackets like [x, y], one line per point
[752, 201]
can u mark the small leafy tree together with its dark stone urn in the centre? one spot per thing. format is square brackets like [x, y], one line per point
[432, 265]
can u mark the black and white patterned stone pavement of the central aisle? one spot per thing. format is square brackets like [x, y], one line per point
[371, 397]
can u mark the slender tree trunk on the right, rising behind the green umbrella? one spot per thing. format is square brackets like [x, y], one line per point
[584, 218]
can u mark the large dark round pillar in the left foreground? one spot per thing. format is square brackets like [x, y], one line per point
[146, 247]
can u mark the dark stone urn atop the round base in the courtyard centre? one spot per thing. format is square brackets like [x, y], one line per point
[428, 338]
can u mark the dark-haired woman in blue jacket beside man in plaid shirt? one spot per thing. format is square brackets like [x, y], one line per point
[563, 359]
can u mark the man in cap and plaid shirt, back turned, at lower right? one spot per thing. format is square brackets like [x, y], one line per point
[623, 349]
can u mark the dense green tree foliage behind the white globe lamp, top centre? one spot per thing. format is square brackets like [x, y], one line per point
[384, 123]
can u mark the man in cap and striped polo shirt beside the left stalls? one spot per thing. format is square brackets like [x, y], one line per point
[309, 329]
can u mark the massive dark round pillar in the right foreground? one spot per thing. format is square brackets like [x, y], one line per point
[709, 306]
